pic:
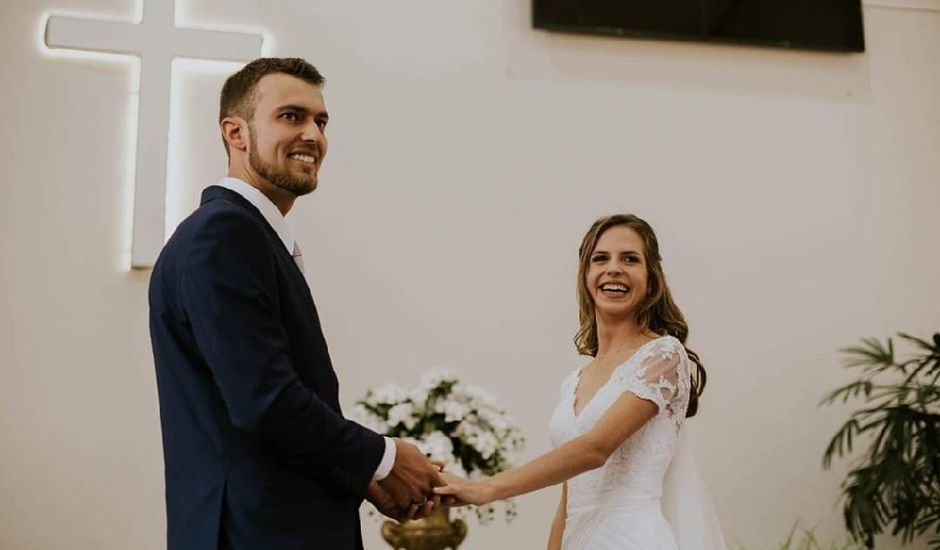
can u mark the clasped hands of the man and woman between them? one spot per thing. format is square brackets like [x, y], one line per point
[417, 485]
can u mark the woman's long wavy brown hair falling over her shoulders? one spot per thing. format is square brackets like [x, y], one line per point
[657, 312]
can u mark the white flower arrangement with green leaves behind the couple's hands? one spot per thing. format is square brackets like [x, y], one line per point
[458, 425]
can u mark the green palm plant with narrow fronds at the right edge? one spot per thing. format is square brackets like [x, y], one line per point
[894, 485]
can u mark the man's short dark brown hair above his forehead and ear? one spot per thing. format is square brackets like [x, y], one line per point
[238, 92]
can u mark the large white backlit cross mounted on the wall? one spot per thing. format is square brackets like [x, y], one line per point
[156, 40]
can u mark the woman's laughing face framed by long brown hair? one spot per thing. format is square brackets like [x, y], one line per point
[617, 274]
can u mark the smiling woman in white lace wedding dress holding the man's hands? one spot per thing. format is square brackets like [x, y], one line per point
[628, 480]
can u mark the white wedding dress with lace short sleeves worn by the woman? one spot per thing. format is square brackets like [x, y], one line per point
[648, 496]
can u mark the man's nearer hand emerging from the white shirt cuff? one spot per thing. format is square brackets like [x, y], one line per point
[412, 479]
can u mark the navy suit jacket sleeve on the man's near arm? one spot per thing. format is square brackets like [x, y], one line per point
[229, 288]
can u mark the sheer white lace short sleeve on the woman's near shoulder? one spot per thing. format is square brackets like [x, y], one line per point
[656, 378]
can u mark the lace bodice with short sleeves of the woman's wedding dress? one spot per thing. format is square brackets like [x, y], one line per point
[659, 372]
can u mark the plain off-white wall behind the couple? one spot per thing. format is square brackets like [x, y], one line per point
[795, 196]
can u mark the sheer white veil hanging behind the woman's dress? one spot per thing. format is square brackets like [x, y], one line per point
[687, 504]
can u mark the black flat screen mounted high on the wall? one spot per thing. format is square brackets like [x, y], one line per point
[810, 24]
